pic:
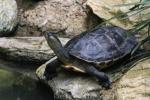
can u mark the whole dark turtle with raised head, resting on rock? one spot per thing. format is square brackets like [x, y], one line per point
[91, 51]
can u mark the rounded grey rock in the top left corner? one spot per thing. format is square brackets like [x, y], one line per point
[8, 17]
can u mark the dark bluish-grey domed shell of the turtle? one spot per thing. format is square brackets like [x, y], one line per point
[103, 45]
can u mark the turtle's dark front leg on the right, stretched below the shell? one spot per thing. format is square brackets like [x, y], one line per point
[102, 77]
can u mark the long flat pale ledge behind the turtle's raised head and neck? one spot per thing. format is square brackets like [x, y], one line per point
[26, 49]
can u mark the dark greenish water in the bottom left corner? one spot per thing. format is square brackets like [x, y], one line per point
[15, 86]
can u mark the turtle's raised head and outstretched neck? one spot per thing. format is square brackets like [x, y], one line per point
[57, 47]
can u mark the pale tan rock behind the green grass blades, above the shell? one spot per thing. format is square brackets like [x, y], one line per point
[105, 9]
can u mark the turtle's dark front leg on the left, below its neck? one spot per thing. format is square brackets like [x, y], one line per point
[51, 68]
